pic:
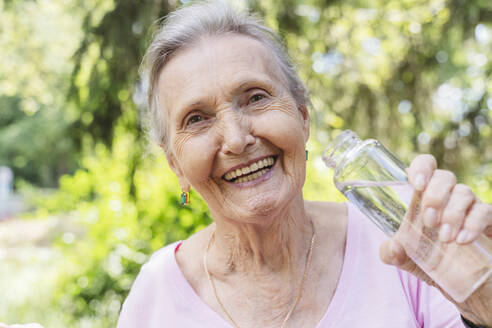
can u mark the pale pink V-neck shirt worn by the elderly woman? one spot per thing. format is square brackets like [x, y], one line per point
[369, 293]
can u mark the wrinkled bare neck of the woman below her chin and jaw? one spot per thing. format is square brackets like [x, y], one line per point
[278, 244]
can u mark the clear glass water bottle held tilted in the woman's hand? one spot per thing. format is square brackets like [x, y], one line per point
[375, 181]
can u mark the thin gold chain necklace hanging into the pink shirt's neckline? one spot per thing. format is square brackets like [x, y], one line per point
[299, 291]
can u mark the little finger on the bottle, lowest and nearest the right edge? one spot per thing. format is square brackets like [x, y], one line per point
[478, 220]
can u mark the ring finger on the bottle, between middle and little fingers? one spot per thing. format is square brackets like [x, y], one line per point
[453, 216]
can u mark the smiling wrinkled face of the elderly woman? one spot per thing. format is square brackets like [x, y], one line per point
[236, 135]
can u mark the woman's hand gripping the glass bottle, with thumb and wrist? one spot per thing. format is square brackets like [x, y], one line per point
[458, 215]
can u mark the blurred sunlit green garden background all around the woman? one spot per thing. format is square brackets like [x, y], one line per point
[84, 199]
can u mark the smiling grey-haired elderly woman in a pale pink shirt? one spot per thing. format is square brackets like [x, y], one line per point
[231, 115]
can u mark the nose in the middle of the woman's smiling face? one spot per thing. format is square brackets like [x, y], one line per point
[236, 134]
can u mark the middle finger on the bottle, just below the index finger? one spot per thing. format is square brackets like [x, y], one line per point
[436, 196]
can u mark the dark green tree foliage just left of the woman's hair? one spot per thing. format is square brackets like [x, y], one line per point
[106, 65]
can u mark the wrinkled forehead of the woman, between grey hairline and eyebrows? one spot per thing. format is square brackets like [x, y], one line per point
[216, 63]
